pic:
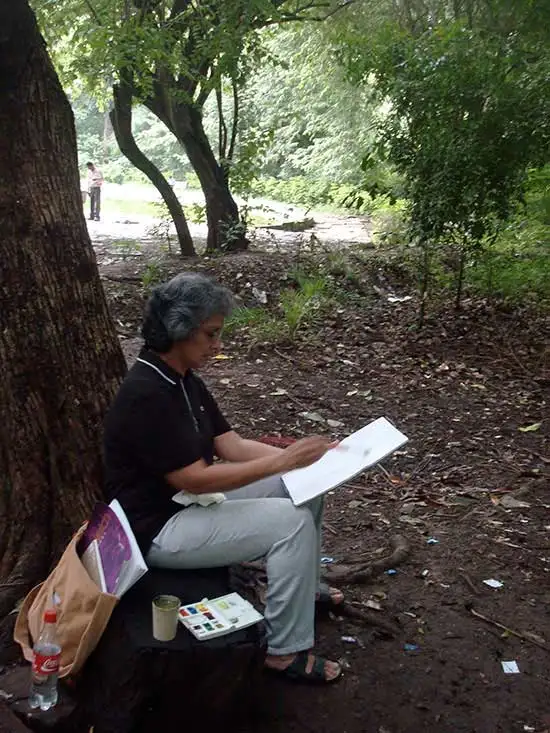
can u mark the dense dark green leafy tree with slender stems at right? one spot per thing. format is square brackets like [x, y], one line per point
[469, 97]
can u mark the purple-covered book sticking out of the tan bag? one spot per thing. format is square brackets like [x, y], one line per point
[109, 551]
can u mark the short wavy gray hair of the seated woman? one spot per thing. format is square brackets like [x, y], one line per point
[178, 307]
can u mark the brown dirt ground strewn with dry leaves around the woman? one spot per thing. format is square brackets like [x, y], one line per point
[469, 491]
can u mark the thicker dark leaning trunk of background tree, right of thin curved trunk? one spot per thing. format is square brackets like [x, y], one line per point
[184, 120]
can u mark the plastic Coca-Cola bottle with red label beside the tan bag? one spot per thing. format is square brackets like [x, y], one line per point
[45, 667]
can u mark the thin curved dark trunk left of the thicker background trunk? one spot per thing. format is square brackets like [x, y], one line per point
[121, 118]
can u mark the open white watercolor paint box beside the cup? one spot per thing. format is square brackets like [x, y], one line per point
[208, 619]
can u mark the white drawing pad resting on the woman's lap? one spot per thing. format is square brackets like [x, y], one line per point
[353, 455]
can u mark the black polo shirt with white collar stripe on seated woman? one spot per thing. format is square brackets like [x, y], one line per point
[159, 421]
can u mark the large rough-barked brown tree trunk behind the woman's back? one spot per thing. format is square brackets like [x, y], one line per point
[59, 355]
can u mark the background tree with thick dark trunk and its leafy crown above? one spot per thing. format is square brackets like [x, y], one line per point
[173, 55]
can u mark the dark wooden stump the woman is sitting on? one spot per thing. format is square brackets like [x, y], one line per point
[135, 684]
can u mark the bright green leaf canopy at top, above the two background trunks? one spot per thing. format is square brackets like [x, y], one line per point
[195, 44]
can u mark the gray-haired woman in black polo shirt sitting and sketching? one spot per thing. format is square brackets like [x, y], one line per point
[161, 436]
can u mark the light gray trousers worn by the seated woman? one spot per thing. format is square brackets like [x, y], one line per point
[258, 520]
